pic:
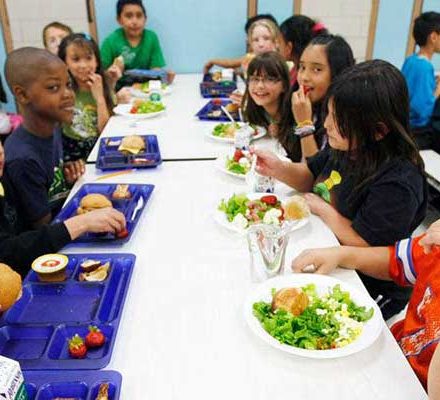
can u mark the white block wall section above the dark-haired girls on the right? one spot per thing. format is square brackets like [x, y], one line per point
[349, 18]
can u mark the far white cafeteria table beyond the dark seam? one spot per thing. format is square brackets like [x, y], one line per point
[181, 135]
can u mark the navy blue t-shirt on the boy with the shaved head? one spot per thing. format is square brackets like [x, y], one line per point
[35, 174]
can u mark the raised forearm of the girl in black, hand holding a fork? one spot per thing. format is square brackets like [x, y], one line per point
[296, 175]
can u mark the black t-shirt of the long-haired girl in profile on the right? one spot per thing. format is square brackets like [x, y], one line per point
[385, 210]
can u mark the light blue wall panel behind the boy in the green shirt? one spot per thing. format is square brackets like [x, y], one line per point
[193, 32]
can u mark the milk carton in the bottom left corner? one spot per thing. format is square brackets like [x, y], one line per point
[11, 380]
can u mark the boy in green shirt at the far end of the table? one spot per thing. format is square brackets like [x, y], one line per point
[132, 46]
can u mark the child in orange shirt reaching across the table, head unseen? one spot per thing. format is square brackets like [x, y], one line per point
[411, 262]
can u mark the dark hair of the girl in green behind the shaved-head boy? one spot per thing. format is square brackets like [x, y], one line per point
[85, 41]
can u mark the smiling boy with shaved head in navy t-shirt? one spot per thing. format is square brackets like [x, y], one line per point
[34, 169]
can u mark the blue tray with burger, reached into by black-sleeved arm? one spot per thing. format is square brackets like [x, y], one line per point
[126, 206]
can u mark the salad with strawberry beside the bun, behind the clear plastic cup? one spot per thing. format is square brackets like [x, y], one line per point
[243, 212]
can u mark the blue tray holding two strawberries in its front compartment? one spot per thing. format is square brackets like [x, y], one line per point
[35, 331]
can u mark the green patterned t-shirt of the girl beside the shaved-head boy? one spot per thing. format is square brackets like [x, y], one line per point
[85, 118]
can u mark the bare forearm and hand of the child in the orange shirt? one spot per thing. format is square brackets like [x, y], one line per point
[372, 261]
